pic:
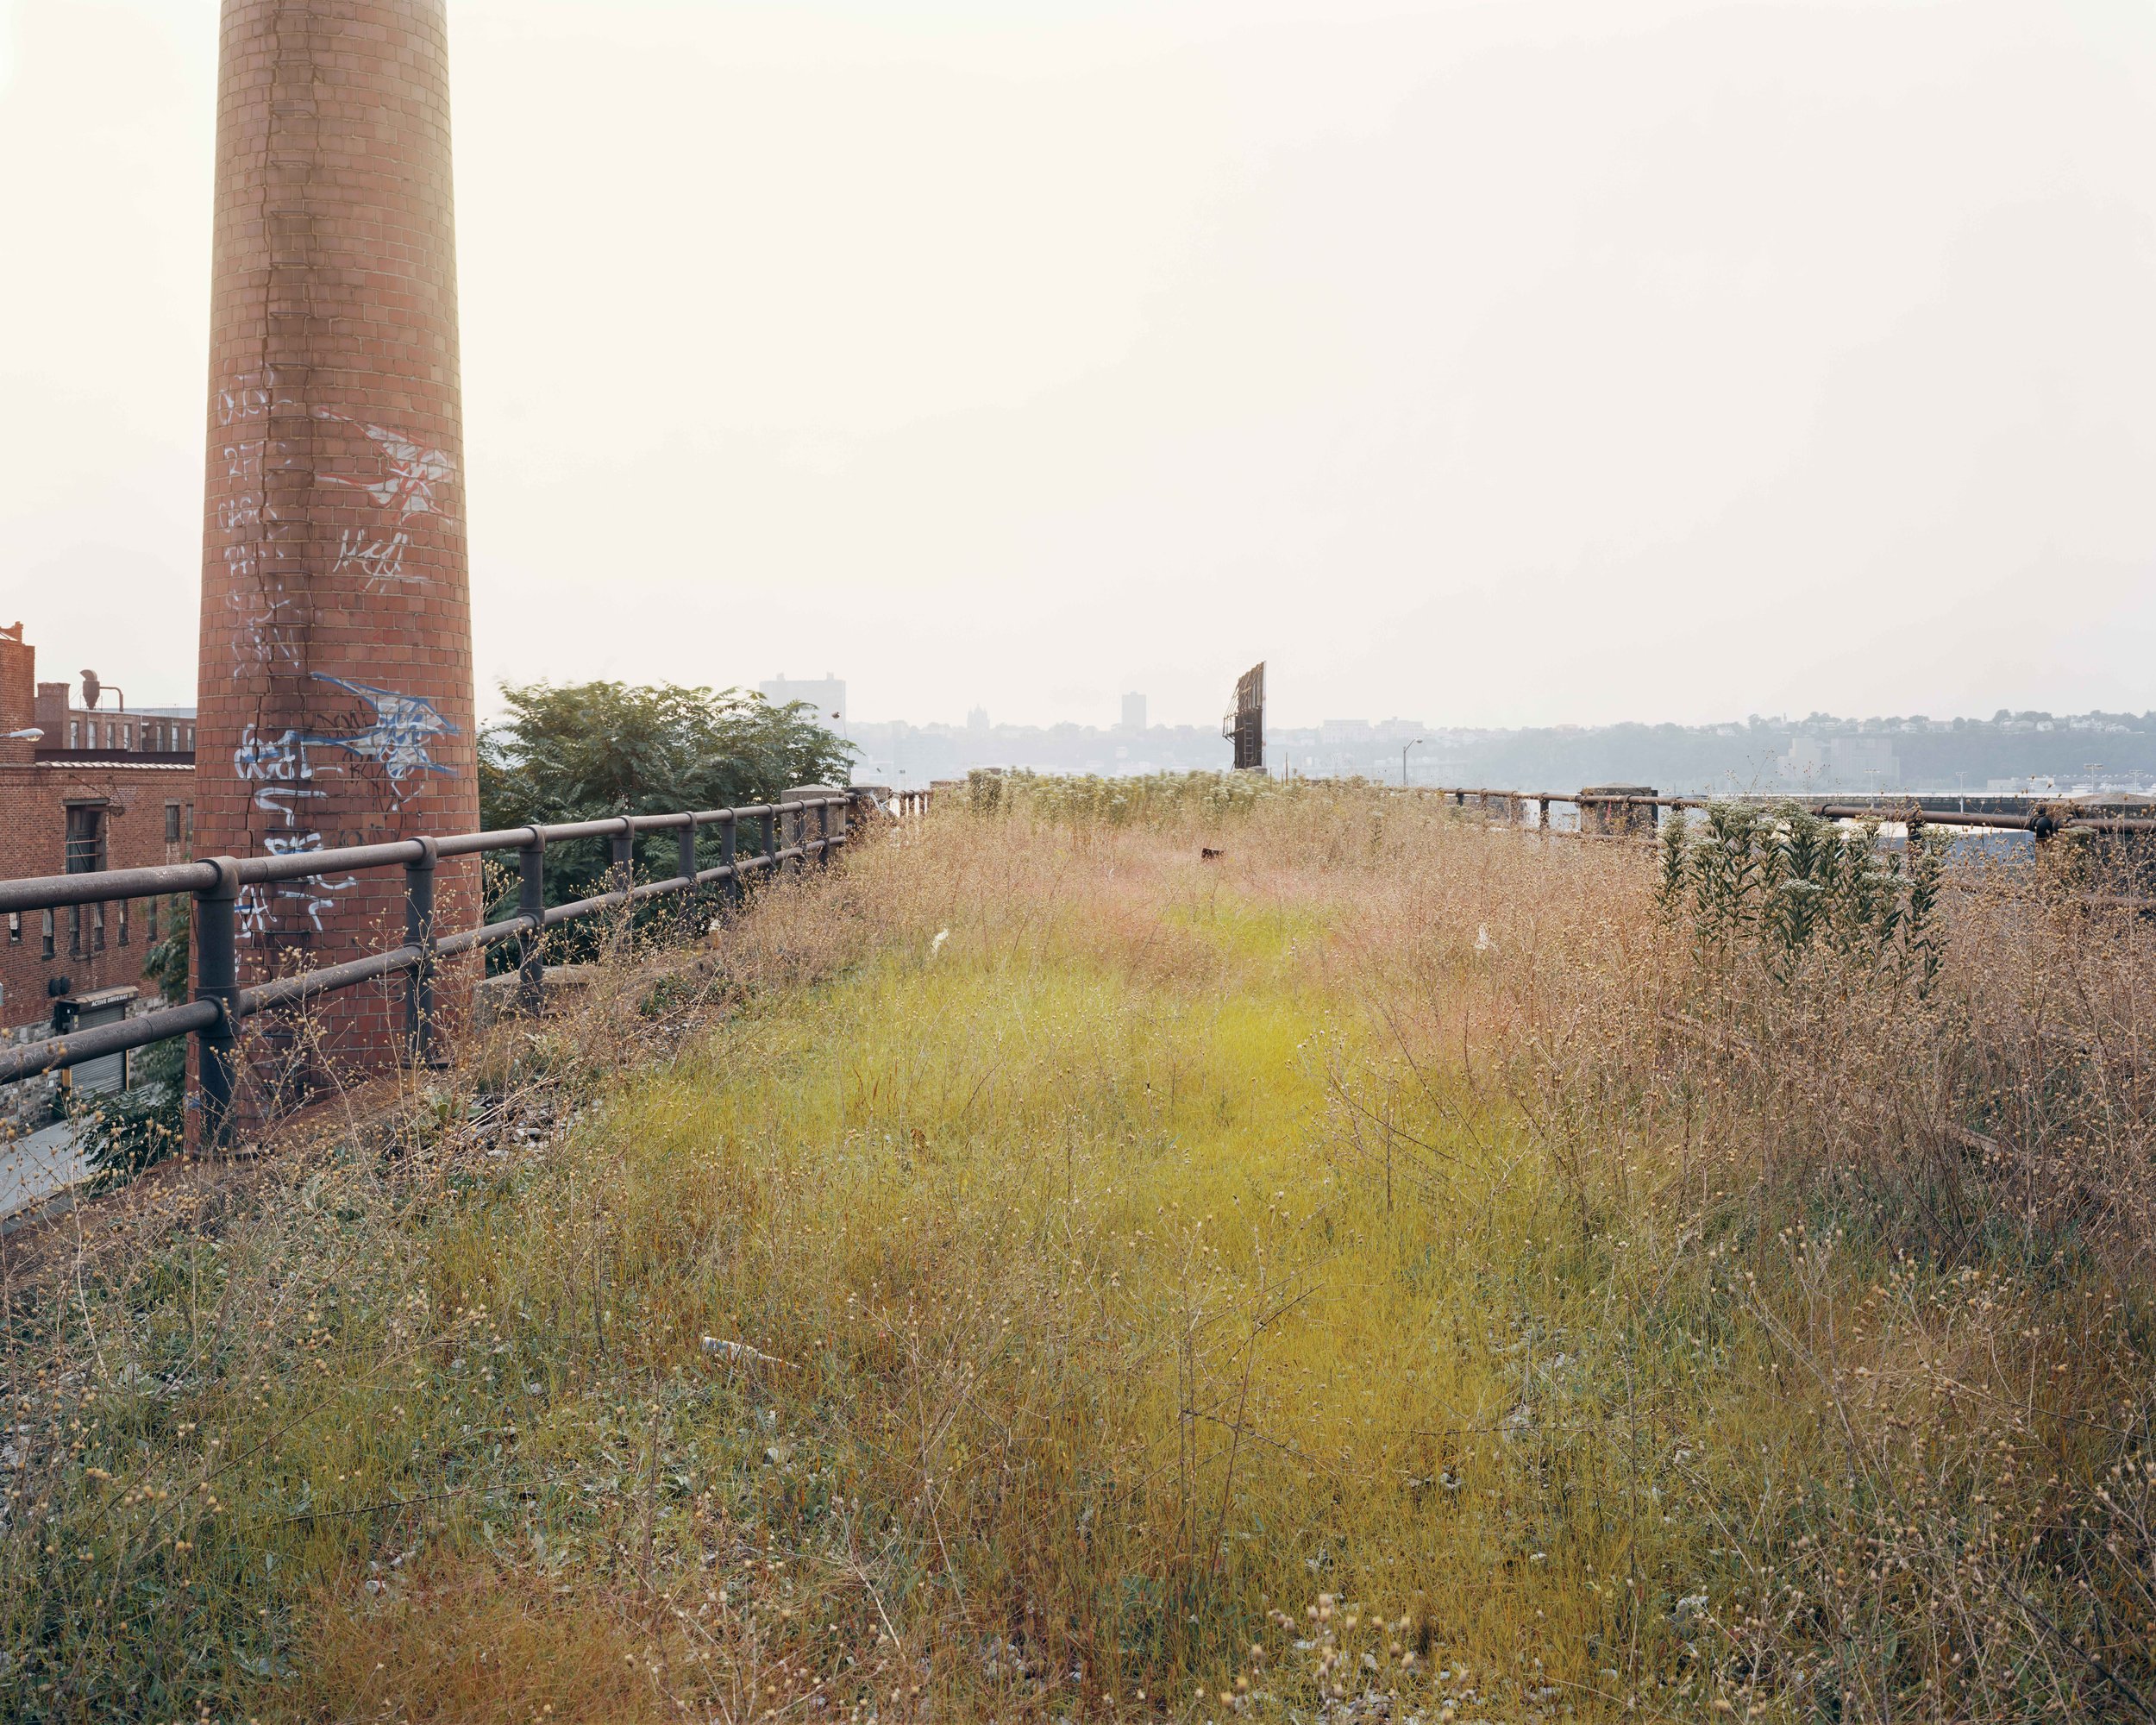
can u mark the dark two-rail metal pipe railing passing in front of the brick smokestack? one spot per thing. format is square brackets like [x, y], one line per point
[221, 1004]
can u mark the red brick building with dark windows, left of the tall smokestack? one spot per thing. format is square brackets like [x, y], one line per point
[83, 788]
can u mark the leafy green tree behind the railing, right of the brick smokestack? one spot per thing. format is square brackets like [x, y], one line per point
[585, 751]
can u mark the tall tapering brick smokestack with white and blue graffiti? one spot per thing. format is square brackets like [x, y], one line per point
[337, 635]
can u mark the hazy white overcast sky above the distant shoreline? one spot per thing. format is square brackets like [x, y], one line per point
[1487, 363]
